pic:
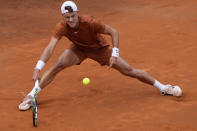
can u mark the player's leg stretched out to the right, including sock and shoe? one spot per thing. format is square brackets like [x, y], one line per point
[123, 67]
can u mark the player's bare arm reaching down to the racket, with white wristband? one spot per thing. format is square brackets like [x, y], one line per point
[47, 53]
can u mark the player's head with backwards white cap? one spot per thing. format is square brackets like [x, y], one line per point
[70, 13]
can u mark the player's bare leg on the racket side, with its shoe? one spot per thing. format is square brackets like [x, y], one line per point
[67, 59]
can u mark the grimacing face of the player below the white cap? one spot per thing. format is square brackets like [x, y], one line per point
[71, 19]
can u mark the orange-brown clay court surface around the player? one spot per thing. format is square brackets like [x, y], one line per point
[158, 36]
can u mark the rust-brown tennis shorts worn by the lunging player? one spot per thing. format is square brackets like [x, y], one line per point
[101, 55]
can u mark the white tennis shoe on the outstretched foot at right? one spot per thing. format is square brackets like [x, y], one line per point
[172, 90]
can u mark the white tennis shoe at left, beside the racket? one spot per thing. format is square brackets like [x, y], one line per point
[26, 104]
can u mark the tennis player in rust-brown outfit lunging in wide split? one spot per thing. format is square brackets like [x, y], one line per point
[87, 42]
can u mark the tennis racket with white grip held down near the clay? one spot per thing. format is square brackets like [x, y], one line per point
[34, 108]
